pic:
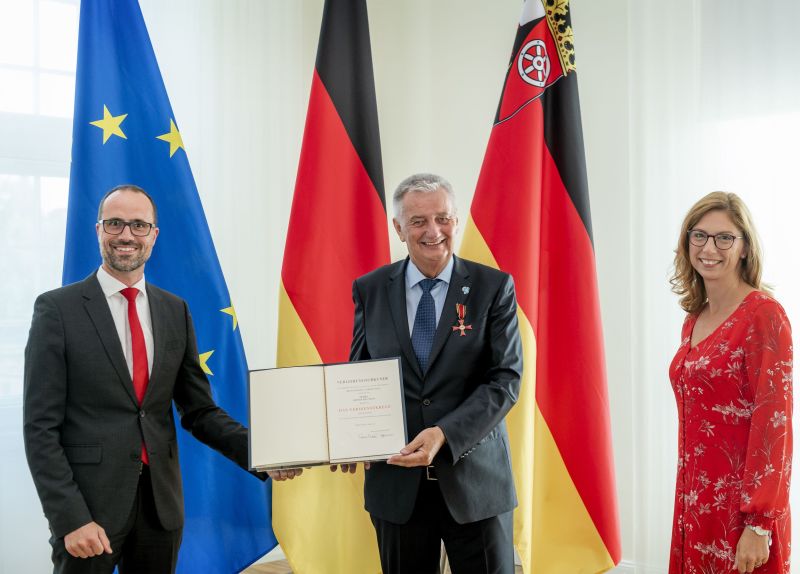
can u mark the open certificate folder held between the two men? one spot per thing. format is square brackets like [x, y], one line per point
[326, 414]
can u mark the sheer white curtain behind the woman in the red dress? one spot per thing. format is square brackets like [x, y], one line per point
[713, 105]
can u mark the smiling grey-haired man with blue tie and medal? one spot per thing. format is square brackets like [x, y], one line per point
[454, 325]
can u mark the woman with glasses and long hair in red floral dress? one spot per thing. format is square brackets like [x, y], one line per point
[732, 377]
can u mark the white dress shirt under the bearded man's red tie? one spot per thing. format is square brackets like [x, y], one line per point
[118, 305]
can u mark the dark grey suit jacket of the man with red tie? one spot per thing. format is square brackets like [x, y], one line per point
[83, 427]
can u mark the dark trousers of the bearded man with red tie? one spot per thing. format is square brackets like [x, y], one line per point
[142, 547]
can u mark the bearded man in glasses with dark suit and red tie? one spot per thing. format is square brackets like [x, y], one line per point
[105, 359]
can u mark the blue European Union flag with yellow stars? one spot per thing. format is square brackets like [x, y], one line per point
[125, 132]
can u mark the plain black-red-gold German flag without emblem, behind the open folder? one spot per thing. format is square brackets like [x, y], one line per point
[337, 231]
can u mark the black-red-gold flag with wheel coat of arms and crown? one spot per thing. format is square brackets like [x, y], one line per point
[530, 217]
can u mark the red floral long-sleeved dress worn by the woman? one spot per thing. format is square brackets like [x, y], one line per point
[734, 395]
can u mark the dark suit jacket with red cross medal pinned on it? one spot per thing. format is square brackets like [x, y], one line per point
[470, 385]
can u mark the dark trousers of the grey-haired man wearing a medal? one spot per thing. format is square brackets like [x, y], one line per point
[483, 547]
